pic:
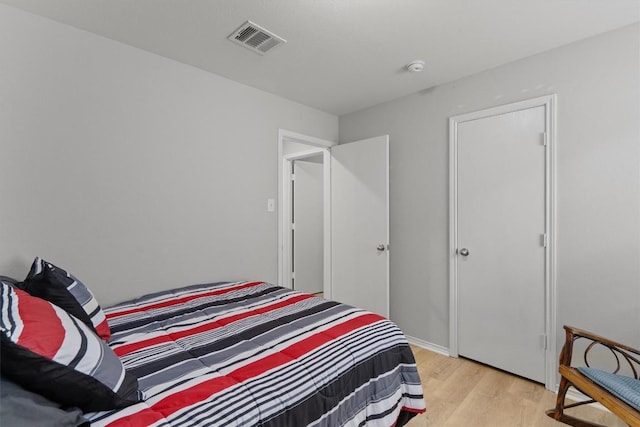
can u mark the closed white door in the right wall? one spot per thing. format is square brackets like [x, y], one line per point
[501, 242]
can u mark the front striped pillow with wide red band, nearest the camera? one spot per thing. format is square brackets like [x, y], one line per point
[50, 352]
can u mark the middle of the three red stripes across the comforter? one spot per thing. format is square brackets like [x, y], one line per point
[130, 348]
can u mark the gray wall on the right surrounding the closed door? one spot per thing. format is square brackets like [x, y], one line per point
[598, 156]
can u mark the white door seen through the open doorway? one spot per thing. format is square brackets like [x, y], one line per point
[307, 217]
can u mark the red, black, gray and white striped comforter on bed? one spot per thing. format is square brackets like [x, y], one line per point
[252, 353]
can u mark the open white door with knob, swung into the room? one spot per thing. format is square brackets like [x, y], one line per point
[360, 224]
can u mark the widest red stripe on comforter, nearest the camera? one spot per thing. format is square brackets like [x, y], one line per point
[204, 390]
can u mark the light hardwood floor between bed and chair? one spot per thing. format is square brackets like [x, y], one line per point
[463, 393]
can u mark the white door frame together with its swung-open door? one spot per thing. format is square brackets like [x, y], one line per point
[355, 218]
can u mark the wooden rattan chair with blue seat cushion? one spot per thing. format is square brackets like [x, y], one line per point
[590, 382]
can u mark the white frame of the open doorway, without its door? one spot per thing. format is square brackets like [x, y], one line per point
[316, 145]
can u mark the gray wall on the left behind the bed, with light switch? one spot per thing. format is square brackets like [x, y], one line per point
[135, 172]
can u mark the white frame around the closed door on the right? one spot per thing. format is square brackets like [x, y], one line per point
[549, 102]
